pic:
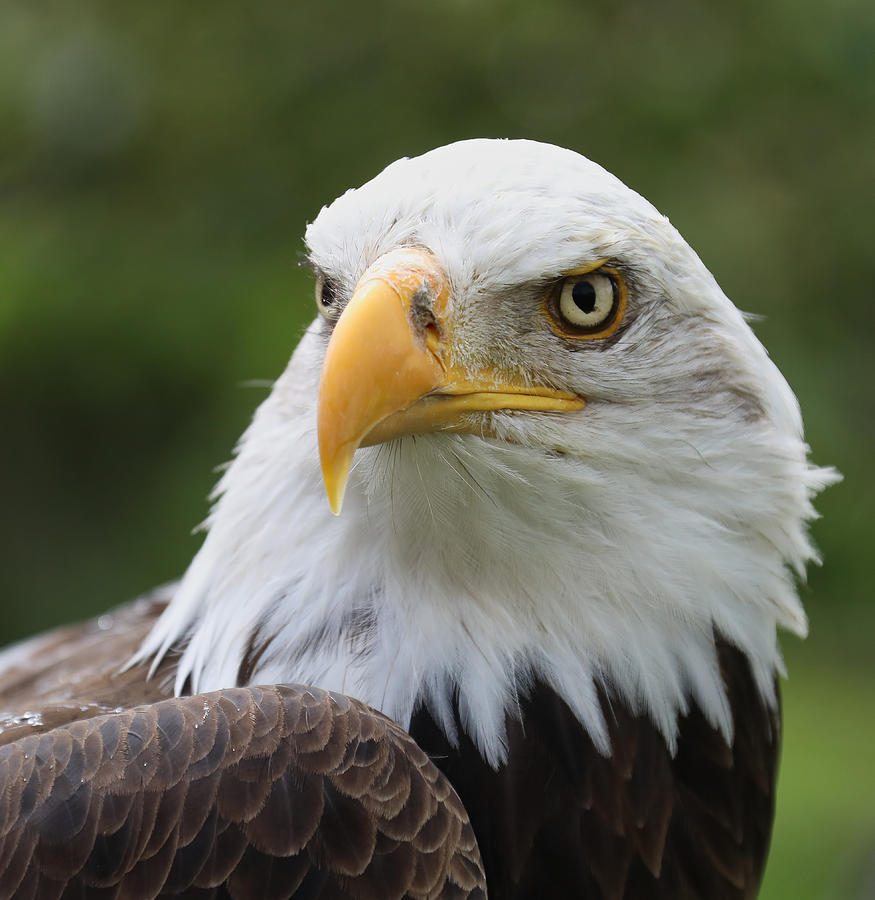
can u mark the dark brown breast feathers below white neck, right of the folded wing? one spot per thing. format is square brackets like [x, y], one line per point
[561, 820]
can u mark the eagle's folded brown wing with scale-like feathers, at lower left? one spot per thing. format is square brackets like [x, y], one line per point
[256, 792]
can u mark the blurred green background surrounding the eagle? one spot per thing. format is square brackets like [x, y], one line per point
[158, 163]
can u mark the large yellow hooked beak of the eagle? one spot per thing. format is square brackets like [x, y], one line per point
[388, 370]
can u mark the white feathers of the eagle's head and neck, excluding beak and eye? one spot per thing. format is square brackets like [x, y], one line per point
[597, 548]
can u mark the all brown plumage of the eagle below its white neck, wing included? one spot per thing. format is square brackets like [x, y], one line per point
[114, 789]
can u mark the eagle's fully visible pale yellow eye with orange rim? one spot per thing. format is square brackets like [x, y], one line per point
[588, 305]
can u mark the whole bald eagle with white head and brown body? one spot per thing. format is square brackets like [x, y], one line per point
[534, 654]
